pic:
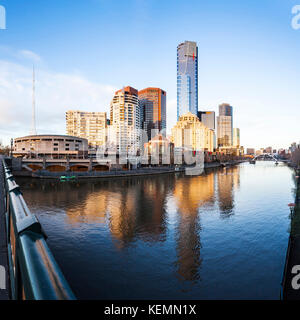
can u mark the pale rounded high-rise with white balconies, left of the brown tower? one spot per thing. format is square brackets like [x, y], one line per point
[125, 121]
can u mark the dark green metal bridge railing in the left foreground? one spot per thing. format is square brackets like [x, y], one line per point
[34, 273]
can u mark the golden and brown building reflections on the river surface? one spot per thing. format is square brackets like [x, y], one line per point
[135, 209]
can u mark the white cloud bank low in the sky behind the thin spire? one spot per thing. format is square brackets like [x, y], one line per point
[55, 94]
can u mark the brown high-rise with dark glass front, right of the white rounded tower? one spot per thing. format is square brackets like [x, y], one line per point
[153, 110]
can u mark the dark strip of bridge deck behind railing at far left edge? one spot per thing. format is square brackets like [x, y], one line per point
[4, 293]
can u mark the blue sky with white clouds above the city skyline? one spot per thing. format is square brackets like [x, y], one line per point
[83, 51]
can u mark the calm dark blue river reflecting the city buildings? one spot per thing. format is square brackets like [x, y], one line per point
[222, 235]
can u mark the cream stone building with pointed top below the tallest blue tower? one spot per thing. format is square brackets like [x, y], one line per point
[190, 132]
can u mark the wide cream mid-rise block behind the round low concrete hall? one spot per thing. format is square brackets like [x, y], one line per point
[89, 125]
